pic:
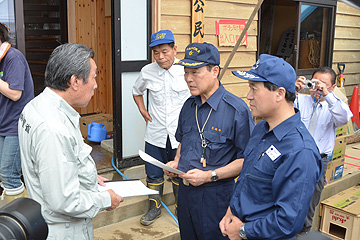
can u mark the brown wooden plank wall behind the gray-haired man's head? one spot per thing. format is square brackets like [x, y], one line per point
[90, 24]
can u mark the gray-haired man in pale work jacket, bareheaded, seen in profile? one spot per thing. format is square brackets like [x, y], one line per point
[58, 170]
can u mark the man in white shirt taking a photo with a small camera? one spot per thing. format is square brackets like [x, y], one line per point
[322, 112]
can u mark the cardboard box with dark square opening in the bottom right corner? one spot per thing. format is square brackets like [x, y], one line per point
[341, 215]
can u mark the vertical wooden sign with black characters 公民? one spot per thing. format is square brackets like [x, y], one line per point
[198, 21]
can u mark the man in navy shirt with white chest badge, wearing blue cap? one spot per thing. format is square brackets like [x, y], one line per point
[282, 163]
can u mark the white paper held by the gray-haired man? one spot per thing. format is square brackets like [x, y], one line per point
[128, 188]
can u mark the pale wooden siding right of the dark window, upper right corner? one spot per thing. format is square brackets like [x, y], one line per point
[347, 45]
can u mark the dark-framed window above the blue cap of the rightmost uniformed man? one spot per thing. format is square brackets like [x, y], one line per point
[300, 32]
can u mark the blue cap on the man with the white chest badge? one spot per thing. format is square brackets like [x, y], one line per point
[271, 69]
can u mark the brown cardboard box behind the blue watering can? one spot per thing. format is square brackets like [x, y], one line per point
[106, 119]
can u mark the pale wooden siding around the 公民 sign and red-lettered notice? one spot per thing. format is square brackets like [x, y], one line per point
[175, 15]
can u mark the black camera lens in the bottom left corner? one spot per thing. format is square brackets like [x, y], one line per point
[21, 219]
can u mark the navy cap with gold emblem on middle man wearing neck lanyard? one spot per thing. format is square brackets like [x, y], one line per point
[200, 54]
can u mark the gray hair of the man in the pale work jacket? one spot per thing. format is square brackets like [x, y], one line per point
[67, 60]
